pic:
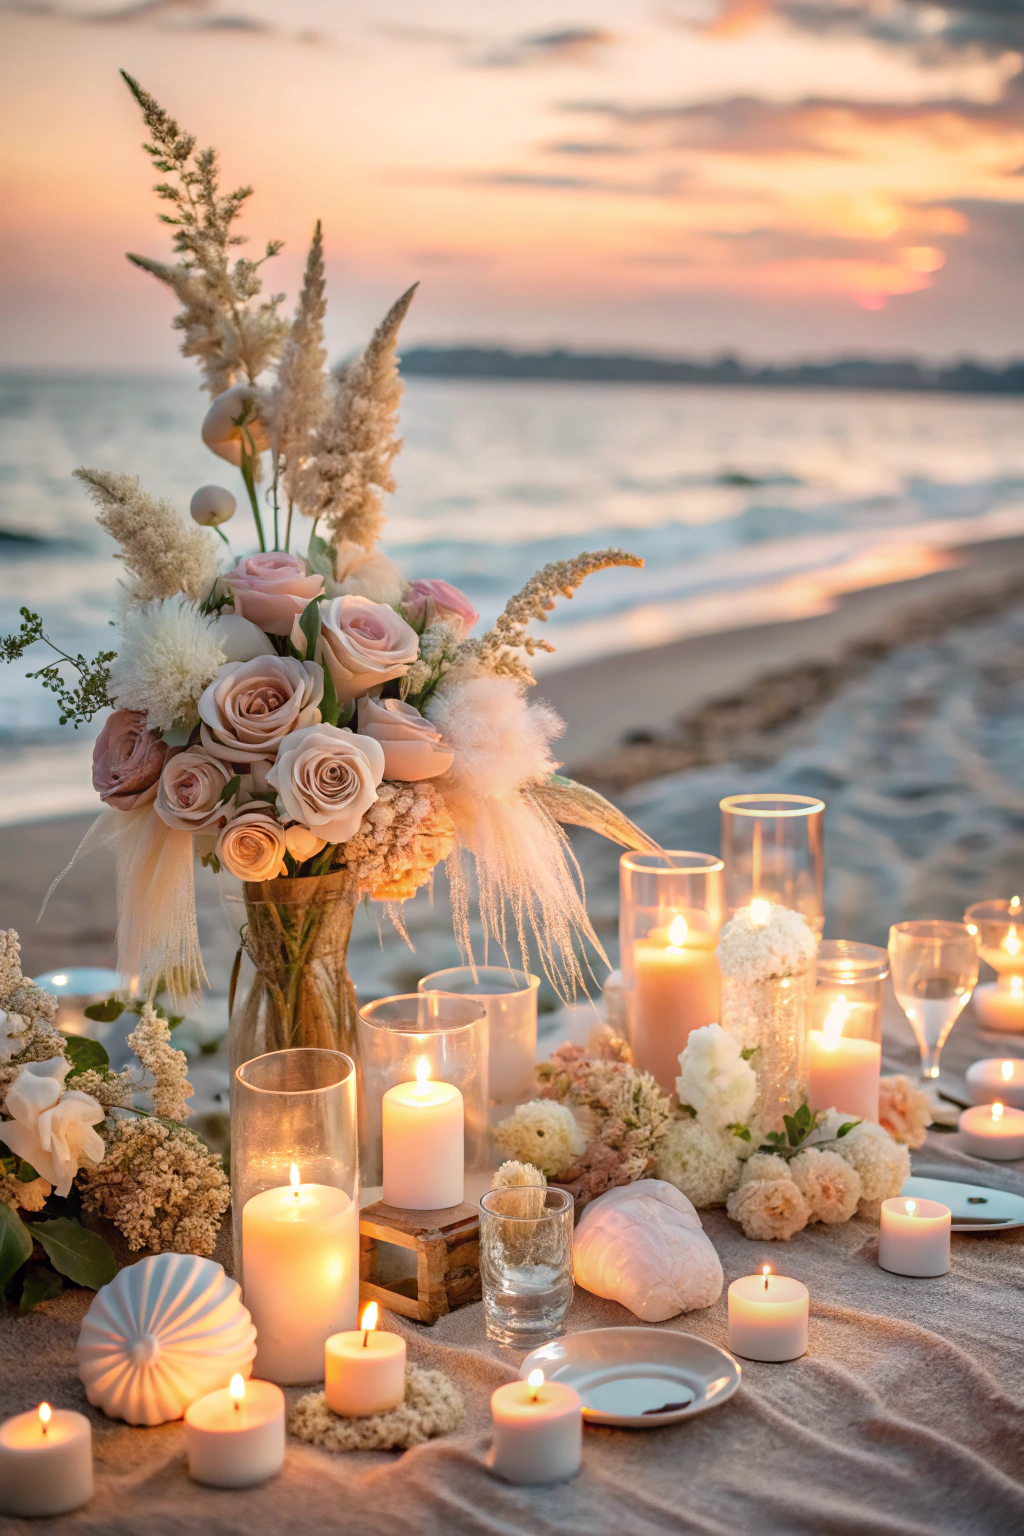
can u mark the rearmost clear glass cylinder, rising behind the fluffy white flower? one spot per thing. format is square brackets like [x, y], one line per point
[773, 847]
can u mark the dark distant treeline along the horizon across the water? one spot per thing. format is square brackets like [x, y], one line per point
[623, 368]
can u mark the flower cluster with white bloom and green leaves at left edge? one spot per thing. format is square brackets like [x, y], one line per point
[79, 1137]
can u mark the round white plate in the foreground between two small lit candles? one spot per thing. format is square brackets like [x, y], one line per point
[638, 1379]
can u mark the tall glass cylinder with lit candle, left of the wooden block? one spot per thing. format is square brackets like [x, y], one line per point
[296, 1207]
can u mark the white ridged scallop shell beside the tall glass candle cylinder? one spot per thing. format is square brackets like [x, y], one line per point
[165, 1332]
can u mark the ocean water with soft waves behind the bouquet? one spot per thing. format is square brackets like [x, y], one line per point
[745, 505]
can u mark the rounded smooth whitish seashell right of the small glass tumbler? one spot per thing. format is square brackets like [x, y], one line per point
[642, 1245]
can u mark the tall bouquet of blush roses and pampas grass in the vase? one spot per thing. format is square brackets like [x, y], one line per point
[289, 715]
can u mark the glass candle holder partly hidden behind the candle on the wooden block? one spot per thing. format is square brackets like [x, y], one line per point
[510, 1001]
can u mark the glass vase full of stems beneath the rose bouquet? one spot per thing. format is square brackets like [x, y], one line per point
[291, 987]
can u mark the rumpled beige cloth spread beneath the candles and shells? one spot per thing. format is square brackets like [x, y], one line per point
[903, 1418]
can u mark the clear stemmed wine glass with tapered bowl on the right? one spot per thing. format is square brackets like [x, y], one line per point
[934, 973]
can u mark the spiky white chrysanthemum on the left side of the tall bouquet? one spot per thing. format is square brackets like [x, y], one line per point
[170, 654]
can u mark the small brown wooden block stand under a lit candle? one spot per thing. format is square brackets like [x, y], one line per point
[448, 1246]
